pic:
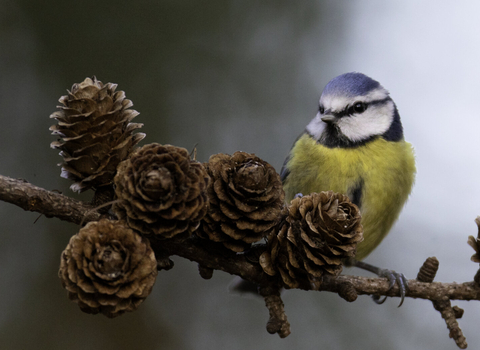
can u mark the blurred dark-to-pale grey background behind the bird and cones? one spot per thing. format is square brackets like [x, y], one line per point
[241, 75]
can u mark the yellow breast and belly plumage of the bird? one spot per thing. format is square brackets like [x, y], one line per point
[384, 171]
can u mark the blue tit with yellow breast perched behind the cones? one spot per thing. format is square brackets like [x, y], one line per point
[355, 145]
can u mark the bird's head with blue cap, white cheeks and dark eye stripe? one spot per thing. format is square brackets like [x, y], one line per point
[354, 109]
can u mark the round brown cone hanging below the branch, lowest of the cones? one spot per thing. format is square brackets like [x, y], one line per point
[108, 268]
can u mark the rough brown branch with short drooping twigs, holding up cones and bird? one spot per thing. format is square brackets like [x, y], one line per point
[212, 256]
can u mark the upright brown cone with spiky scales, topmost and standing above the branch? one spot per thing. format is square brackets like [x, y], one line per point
[96, 133]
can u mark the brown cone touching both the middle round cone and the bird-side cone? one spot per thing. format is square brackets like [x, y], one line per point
[246, 198]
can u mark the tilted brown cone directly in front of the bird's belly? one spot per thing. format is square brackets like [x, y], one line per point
[318, 232]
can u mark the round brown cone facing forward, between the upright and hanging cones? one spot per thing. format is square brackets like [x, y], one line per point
[162, 191]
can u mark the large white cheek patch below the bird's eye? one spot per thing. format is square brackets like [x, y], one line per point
[376, 120]
